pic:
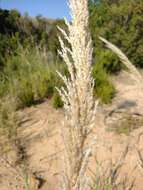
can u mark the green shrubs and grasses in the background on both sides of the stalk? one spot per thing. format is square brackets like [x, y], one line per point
[29, 58]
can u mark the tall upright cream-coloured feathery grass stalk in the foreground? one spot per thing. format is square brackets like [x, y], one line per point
[77, 95]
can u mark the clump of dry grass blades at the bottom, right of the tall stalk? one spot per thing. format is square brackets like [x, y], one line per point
[108, 173]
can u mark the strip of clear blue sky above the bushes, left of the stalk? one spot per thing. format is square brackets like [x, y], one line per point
[47, 8]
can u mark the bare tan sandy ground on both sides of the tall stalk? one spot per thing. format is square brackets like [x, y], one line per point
[43, 147]
